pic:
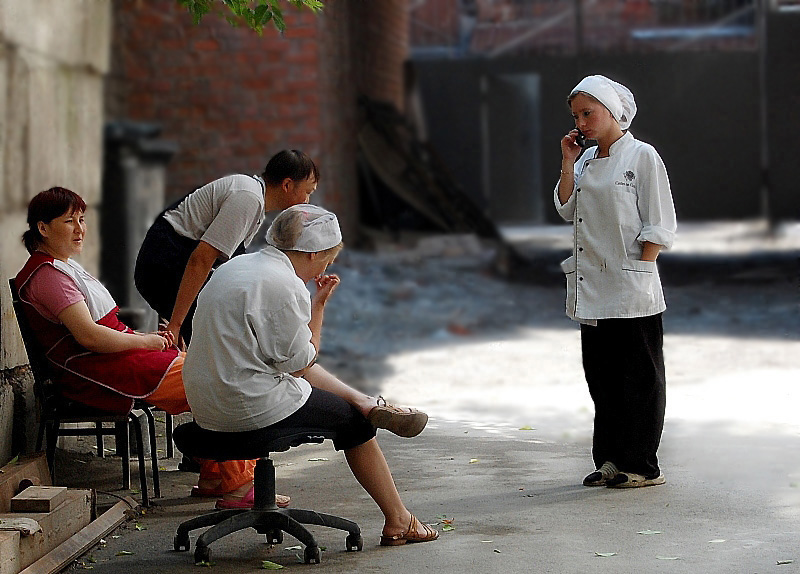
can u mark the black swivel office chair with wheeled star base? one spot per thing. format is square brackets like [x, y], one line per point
[265, 517]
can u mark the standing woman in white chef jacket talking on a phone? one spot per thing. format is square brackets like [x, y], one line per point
[618, 198]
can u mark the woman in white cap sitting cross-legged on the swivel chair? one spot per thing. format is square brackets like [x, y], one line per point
[251, 369]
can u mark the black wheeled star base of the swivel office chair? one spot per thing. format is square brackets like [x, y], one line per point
[271, 522]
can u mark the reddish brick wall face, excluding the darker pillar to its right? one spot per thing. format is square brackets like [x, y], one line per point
[229, 97]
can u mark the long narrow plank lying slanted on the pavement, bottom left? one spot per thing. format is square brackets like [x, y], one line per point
[55, 560]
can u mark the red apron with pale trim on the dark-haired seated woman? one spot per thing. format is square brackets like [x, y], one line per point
[109, 381]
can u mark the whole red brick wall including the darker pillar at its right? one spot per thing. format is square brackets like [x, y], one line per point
[231, 98]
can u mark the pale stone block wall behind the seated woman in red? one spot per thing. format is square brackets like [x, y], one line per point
[54, 55]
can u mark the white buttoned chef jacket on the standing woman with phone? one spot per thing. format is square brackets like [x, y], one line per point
[618, 202]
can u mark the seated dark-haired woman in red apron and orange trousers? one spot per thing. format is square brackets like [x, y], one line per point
[98, 360]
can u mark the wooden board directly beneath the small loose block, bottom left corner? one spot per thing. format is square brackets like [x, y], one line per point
[57, 526]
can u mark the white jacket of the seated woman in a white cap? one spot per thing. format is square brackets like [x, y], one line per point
[250, 331]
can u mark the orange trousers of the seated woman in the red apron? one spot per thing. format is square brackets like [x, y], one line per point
[170, 396]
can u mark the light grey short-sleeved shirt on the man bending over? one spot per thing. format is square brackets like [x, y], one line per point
[224, 213]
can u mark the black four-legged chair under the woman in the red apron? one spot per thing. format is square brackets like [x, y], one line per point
[57, 410]
